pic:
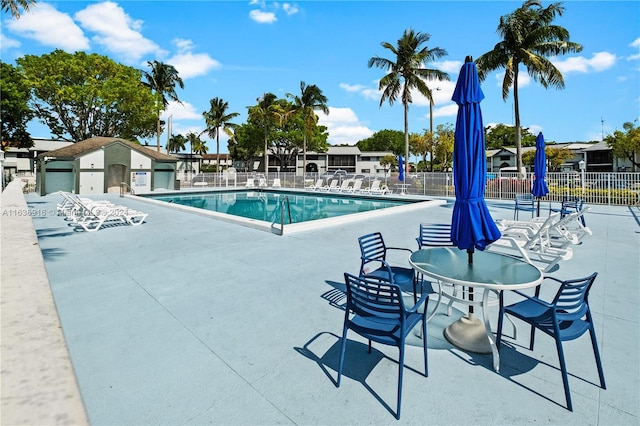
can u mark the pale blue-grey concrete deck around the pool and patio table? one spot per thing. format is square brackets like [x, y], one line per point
[190, 320]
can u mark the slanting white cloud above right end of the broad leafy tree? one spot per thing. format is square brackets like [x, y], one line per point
[116, 31]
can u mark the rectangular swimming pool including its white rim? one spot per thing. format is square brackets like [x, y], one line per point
[285, 209]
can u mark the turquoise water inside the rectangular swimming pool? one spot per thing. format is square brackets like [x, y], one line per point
[266, 205]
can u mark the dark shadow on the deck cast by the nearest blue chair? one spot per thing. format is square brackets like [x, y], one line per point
[358, 362]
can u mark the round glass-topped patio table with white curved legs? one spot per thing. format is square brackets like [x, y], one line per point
[490, 271]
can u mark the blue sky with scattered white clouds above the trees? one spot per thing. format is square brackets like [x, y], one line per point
[238, 50]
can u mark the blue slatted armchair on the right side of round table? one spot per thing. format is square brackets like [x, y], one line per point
[566, 318]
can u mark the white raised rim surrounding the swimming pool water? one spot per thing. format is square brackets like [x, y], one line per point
[416, 203]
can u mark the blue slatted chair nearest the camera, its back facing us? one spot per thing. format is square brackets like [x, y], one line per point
[376, 311]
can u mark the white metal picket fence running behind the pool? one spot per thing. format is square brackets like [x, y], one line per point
[595, 188]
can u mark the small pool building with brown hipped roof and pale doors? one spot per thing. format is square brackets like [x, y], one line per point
[100, 164]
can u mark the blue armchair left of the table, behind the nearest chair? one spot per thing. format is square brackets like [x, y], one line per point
[374, 265]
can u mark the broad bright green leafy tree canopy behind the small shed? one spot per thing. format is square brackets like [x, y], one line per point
[82, 95]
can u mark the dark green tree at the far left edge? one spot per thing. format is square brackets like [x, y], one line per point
[14, 108]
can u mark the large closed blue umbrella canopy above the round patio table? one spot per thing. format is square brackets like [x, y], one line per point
[471, 225]
